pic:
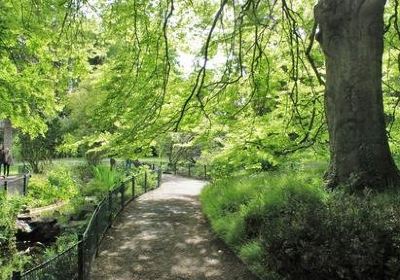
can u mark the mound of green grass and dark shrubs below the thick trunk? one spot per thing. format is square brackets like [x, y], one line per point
[291, 228]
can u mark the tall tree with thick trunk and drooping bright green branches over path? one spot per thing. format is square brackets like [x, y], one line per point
[267, 93]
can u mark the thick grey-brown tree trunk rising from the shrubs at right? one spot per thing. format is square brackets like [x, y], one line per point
[351, 36]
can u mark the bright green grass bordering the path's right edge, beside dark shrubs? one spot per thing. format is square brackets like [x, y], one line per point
[235, 209]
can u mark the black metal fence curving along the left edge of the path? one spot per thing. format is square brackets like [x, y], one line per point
[75, 262]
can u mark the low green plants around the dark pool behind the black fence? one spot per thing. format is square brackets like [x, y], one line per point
[67, 183]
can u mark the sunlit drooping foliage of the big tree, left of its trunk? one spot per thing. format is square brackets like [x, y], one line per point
[132, 96]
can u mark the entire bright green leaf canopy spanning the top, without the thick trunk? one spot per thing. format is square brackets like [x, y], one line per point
[244, 80]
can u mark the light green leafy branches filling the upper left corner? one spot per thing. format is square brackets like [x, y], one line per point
[38, 60]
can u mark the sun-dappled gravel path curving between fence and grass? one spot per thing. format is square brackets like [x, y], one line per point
[164, 236]
